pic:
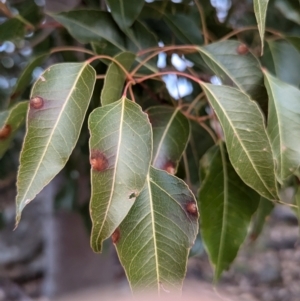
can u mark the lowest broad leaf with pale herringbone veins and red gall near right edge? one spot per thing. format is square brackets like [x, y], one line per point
[154, 240]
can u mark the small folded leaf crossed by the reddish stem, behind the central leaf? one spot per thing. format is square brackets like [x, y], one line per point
[115, 77]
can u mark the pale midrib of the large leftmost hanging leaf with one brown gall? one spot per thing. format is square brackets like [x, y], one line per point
[53, 130]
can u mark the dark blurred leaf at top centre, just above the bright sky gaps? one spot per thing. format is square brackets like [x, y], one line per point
[185, 29]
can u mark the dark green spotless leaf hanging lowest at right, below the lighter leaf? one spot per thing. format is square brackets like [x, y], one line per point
[226, 206]
